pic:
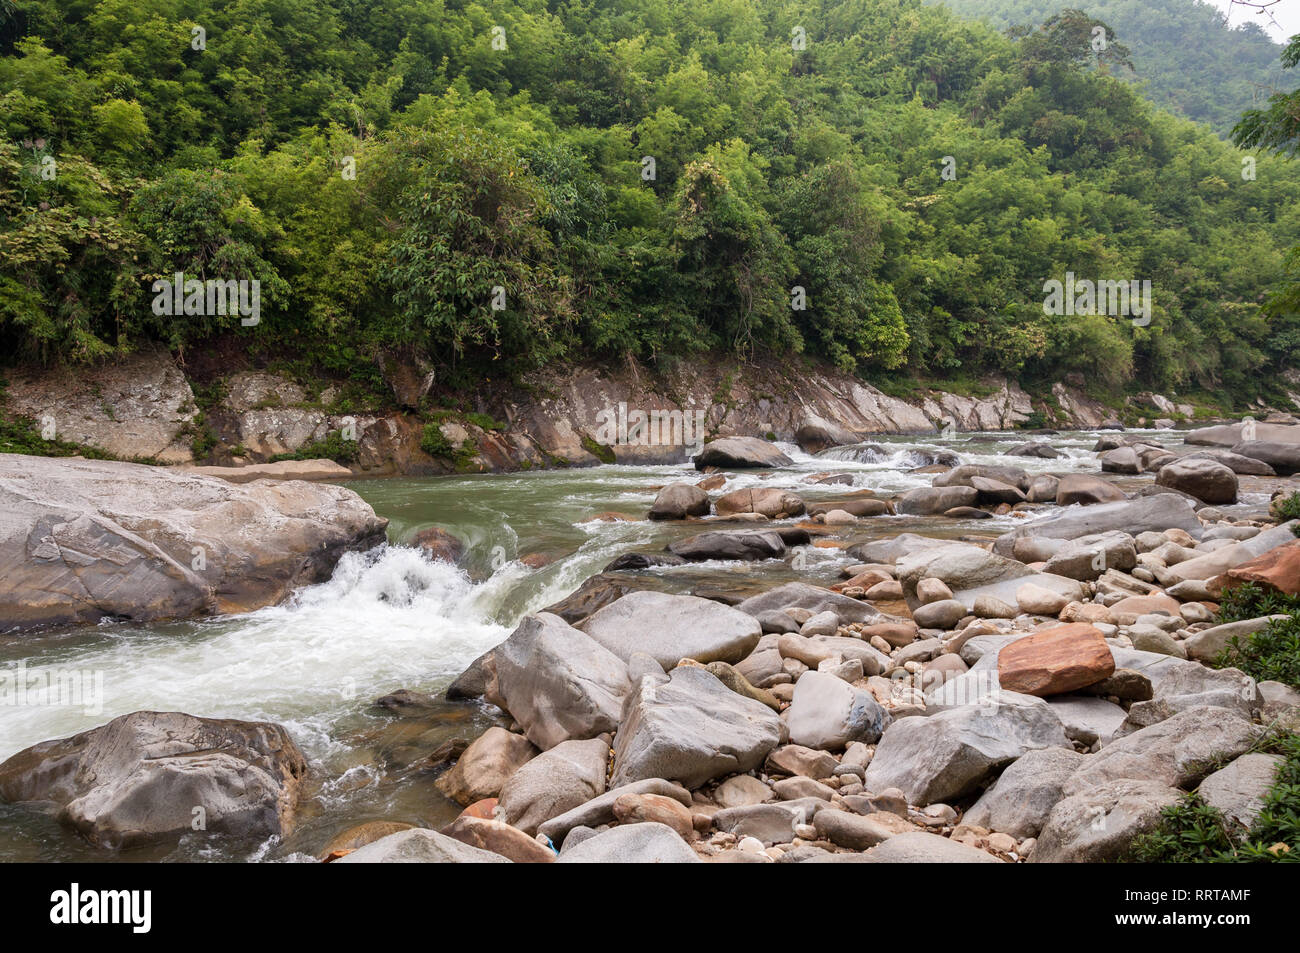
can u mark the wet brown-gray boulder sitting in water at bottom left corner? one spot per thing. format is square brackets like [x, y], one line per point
[140, 778]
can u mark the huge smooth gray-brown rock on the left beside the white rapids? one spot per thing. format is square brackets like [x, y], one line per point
[86, 540]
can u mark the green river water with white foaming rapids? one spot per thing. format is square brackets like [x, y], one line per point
[393, 620]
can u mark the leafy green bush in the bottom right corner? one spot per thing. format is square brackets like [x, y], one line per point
[1194, 833]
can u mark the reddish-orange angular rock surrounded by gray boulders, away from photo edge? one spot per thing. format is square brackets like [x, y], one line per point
[1056, 661]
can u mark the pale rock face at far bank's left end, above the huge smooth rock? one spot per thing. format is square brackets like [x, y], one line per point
[137, 408]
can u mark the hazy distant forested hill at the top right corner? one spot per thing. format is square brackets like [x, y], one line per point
[1193, 59]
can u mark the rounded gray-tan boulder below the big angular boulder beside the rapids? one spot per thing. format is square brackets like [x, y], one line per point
[570, 774]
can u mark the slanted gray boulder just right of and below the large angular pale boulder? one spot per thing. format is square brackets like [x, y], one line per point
[1022, 799]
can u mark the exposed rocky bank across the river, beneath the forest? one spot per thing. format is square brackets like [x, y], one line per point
[146, 408]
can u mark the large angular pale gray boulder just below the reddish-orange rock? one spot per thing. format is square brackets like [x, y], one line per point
[954, 752]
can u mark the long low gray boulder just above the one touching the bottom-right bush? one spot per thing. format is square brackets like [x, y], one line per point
[1177, 752]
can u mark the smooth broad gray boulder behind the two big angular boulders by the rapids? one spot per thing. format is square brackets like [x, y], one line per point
[670, 629]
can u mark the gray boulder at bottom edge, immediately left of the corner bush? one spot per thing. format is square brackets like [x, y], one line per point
[1100, 824]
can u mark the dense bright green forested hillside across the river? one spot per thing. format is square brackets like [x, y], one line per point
[647, 177]
